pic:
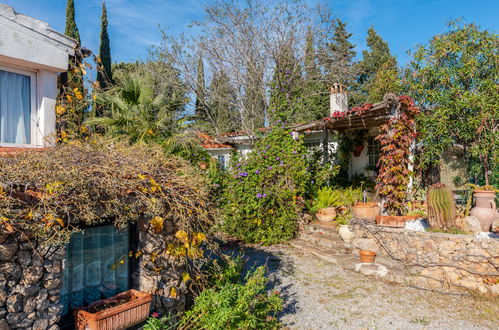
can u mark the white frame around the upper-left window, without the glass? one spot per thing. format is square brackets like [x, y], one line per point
[33, 86]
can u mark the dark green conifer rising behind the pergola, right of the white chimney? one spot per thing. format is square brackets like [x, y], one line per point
[376, 58]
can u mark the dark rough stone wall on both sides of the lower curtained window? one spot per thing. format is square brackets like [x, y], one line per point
[31, 279]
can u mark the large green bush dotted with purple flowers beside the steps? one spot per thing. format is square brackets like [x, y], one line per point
[262, 191]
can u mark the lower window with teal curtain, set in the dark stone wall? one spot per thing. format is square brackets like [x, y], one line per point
[96, 266]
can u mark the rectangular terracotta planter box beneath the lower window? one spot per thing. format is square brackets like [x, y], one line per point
[122, 316]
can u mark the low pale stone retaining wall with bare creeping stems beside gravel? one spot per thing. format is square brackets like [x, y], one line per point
[444, 262]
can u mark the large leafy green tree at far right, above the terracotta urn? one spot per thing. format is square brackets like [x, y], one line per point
[455, 77]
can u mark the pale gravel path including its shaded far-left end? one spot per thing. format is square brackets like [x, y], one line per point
[319, 295]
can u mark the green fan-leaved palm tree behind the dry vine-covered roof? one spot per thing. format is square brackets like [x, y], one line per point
[134, 111]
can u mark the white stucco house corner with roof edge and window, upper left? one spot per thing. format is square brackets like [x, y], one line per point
[31, 56]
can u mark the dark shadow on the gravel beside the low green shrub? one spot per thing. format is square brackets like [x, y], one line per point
[275, 262]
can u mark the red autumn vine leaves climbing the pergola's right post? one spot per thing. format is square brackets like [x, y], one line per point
[395, 139]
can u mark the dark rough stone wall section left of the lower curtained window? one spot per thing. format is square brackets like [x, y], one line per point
[30, 283]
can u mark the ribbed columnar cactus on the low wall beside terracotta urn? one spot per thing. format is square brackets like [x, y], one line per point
[441, 207]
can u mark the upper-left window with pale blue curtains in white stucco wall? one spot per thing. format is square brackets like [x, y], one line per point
[17, 91]
